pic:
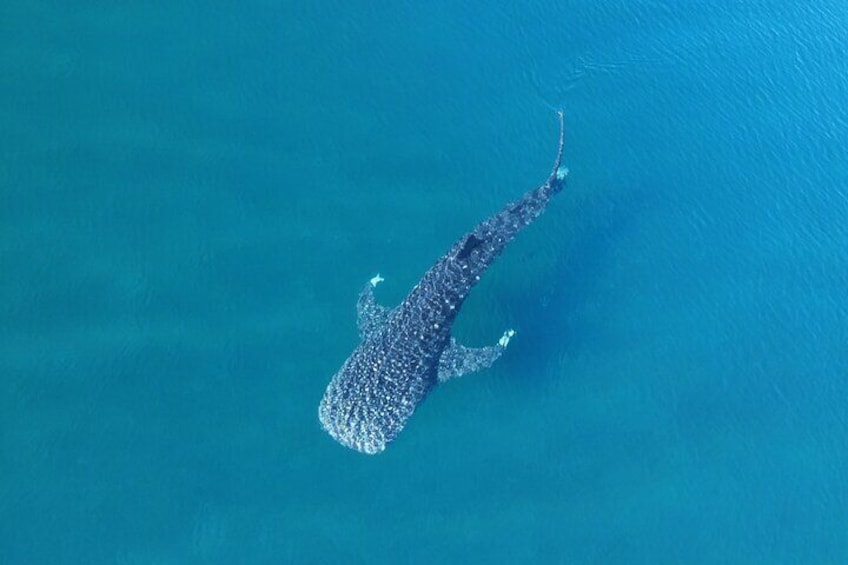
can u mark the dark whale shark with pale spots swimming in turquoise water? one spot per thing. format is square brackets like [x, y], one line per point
[404, 352]
